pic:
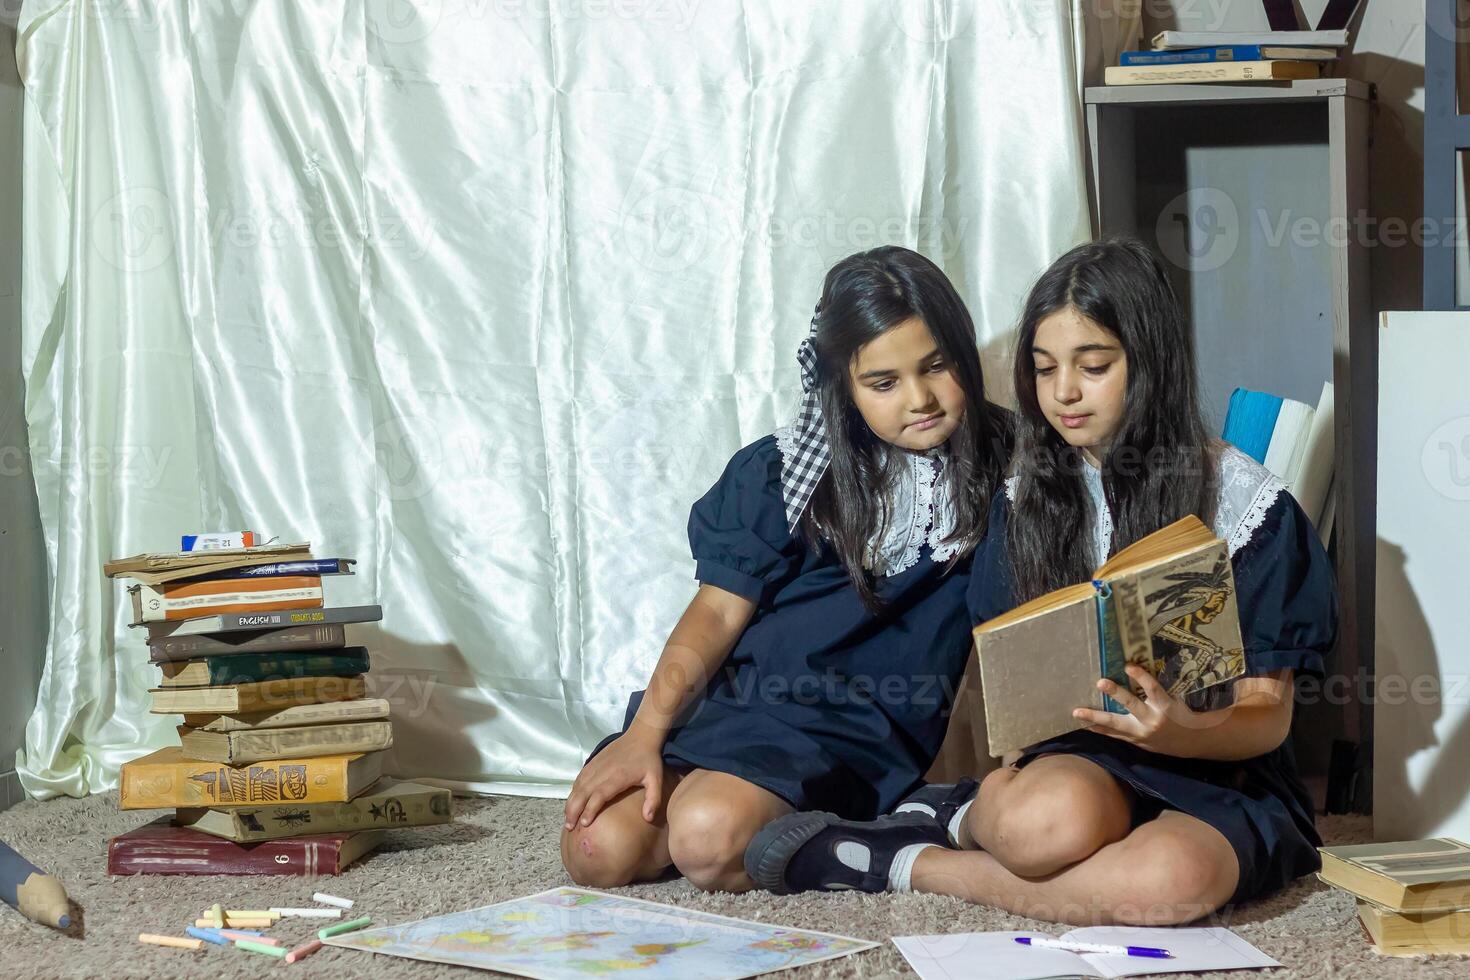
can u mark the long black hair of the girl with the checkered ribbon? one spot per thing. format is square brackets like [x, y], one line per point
[864, 298]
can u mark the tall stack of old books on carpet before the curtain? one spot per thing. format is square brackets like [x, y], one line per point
[280, 753]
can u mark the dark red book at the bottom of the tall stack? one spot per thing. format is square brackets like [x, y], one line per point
[161, 849]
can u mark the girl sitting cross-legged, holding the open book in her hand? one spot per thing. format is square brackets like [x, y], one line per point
[1175, 809]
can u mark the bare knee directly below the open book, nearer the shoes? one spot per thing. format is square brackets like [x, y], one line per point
[1039, 826]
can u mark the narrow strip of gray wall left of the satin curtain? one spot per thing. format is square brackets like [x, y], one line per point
[23, 555]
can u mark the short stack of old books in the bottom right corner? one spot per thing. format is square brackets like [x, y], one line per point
[1413, 896]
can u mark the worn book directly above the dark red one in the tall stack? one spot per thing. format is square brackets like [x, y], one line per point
[387, 806]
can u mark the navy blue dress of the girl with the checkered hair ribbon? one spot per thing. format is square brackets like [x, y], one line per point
[821, 703]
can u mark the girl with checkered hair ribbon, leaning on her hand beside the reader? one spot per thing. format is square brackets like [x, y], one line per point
[833, 562]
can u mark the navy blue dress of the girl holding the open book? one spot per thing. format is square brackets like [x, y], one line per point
[1288, 608]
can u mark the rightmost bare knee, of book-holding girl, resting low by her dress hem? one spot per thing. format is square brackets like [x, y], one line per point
[1178, 879]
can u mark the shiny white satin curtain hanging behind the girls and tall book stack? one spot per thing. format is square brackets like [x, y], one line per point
[481, 293]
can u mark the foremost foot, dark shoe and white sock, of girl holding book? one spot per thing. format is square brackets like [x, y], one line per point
[820, 851]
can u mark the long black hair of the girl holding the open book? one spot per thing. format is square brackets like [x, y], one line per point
[1159, 466]
